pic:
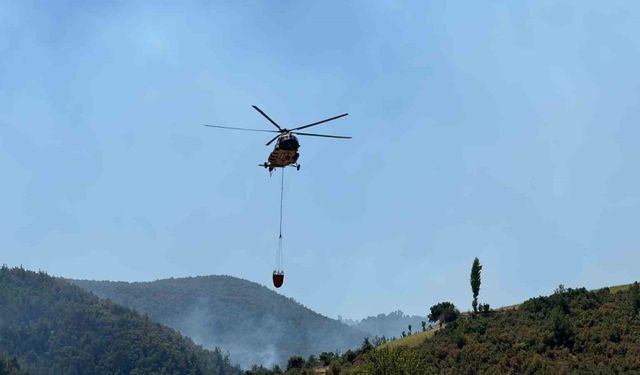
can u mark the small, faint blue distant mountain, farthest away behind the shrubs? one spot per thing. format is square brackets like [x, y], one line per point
[389, 325]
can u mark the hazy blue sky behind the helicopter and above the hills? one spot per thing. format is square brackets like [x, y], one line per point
[499, 129]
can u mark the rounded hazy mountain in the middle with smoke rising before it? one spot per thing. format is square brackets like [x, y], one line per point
[252, 322]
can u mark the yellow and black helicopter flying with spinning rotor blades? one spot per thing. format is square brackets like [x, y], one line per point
[285, 152]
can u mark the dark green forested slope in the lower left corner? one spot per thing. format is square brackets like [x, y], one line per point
[54, 327]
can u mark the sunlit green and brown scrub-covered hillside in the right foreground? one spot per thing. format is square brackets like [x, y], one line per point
[573, 331]
